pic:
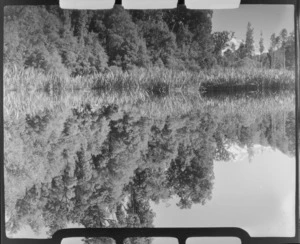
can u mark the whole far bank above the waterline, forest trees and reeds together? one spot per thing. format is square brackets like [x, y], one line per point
[155, 51]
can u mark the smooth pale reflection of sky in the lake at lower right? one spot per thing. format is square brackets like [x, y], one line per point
[257, 196]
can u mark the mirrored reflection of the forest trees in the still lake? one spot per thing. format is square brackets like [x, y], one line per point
[102, 167]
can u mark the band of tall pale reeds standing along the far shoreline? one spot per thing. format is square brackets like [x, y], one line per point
[155, 81]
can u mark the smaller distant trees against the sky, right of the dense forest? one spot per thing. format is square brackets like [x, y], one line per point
[279, 55]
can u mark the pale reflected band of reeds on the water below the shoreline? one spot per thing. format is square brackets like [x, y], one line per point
[17, 105]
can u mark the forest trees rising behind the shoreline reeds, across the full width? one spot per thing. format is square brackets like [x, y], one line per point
[85, 42]
